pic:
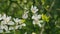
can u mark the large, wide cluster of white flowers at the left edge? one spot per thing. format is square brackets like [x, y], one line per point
[8, 23]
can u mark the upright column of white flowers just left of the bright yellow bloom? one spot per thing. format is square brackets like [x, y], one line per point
[36, 17]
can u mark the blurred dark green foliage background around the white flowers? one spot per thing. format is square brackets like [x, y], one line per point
[15, 8]
